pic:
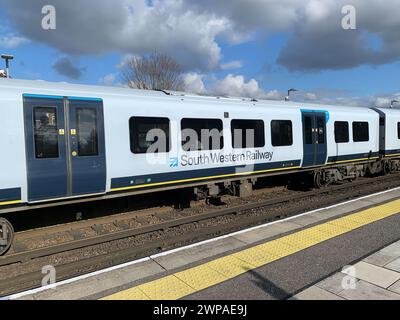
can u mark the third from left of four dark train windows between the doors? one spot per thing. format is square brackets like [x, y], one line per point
[248, 134]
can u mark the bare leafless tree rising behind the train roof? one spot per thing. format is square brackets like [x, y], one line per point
[153, 72]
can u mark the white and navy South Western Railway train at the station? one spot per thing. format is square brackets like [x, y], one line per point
[61, 143]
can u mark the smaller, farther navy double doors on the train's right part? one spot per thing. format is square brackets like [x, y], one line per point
[314, 138]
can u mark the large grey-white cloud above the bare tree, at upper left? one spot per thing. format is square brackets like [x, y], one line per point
[129, 27]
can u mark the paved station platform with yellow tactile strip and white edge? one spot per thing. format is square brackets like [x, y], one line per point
[347, 251]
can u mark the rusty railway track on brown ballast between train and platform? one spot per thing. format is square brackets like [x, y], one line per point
[205, 224]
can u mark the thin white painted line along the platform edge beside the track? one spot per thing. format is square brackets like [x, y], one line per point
[163, 254]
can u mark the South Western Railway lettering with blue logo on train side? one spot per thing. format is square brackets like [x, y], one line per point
[215, 158]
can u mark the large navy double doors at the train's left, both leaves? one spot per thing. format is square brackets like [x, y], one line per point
[65, 147]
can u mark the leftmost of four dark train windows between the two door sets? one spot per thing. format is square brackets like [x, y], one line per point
[149, 135]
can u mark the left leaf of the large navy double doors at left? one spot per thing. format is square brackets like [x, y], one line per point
[45, 147]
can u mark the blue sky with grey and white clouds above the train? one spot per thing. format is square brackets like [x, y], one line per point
[250, 48]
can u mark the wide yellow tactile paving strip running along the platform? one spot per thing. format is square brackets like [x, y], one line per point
[190, 281]
